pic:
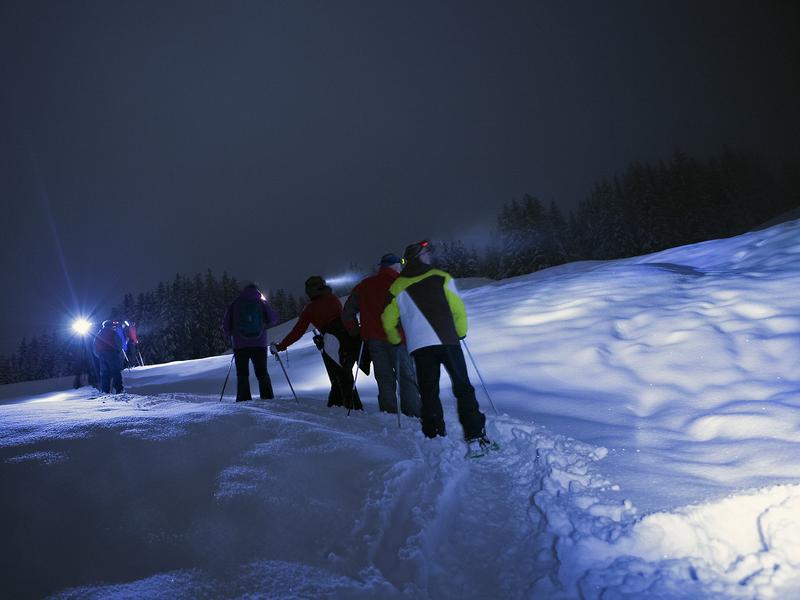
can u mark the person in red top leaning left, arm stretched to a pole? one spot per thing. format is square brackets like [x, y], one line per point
[324, 311]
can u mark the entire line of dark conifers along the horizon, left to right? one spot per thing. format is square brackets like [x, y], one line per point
[649, 207]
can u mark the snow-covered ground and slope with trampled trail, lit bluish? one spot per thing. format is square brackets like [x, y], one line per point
[649, 424]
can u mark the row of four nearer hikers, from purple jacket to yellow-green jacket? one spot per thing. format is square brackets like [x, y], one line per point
[407, 310]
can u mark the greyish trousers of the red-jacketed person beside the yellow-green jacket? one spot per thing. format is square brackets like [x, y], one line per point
[386, 358]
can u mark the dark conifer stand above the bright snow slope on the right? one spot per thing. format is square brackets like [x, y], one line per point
[649, 207]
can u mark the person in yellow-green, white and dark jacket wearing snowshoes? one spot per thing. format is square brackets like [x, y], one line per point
[424, 300]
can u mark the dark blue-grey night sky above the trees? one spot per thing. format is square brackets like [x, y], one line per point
[276, 140]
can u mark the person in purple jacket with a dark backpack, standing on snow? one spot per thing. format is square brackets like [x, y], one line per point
[245, 323]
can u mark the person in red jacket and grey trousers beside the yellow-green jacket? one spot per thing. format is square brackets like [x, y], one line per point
[368, 299]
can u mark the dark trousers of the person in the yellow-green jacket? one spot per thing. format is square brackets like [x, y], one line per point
[429, 361]
